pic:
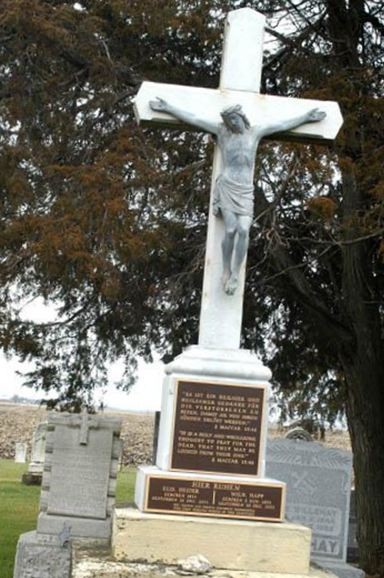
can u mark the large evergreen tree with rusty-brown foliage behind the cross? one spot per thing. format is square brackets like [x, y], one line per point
[108, 220]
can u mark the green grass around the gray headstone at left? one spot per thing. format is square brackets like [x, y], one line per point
[19, 506]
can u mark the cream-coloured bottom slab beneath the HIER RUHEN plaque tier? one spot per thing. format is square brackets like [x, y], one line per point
[228, 544]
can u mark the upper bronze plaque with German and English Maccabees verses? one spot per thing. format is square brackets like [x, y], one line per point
[217, 428]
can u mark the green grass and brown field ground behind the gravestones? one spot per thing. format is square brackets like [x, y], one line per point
[19, 504]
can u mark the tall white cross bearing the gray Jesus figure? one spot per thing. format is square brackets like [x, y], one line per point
[193, 108]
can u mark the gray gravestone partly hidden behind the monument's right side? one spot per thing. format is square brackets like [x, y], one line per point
[318, 495]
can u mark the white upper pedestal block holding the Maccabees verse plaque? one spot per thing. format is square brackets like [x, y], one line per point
[208, 393]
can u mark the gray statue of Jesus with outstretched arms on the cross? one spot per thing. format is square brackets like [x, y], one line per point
[234, 190]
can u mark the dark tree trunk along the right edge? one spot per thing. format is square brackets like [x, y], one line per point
[363, 365]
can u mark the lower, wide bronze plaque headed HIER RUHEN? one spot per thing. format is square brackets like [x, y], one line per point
[212, 498]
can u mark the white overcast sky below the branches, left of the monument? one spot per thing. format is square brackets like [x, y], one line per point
[145, 395]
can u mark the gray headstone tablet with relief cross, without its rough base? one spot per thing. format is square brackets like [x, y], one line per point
[79, 480]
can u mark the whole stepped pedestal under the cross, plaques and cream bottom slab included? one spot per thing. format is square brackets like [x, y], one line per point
[207, 493]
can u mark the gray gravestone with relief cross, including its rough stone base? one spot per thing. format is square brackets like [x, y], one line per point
[78, 492]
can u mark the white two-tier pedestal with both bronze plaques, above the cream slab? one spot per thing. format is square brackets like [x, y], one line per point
[211, 451]
